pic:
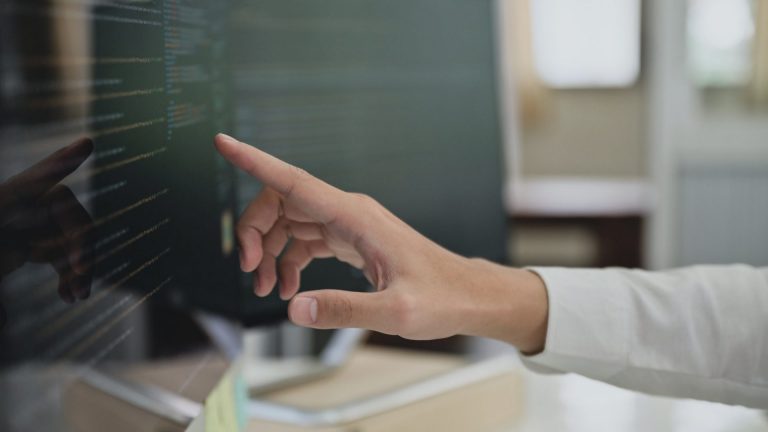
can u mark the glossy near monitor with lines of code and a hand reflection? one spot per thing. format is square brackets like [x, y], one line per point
[112, 197]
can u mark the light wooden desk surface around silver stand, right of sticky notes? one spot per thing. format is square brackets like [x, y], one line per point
[489, 404]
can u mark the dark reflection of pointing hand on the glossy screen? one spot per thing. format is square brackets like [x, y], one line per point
[42, 221]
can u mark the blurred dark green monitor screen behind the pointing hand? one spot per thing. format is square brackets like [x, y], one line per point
[396, 99]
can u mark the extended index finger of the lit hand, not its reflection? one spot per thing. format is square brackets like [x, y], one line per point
[311, 195]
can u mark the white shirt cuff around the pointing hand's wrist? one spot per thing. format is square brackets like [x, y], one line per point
[587, 328]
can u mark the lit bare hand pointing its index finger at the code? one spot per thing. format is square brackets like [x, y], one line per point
[423, 290]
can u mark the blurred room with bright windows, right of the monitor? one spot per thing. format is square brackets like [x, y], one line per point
[640, 123]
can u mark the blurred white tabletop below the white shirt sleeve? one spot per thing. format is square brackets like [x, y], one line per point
[576, 404]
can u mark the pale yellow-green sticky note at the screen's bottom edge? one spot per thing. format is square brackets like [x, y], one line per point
[225, 406]
